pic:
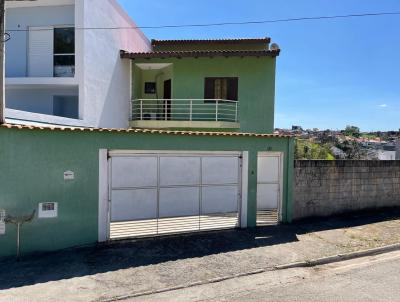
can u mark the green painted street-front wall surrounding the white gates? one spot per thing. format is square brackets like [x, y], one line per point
[32, 163]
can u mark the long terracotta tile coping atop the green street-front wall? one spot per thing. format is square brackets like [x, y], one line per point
[135, 130]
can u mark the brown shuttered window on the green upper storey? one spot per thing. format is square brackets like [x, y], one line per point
[221, 89]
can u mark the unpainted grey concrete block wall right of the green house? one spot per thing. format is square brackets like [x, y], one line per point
[323, 188]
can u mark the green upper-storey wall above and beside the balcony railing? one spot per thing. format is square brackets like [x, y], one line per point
[256, 85]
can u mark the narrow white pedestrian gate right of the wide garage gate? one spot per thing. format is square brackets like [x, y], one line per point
[269, 183]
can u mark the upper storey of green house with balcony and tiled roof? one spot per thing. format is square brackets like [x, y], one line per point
[205, 84]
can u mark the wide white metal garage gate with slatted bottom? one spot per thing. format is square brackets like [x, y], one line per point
[165, 193]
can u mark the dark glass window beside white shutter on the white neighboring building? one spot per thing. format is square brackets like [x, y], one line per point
[64, 52]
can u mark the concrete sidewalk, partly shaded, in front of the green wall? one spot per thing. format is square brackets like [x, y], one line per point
[128, 268]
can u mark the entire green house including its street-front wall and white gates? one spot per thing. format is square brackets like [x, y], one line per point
[200, 154]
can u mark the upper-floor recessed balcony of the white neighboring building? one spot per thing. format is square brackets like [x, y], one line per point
[41, 48]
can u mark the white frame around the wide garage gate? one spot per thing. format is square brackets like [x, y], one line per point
[105, 192]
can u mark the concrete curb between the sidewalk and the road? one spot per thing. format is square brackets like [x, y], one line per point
[308, 263]
